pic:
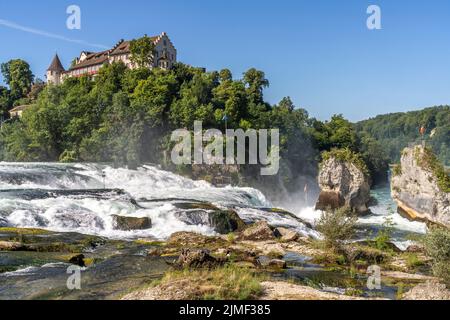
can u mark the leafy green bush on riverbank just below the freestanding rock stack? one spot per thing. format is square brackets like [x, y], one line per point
[336, 226]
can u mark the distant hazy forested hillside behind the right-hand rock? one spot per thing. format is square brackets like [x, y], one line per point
[395, 131]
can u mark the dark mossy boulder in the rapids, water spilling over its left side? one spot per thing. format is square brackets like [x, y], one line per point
[222, 221]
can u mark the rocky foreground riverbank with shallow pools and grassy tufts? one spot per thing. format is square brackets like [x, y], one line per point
[268, 263]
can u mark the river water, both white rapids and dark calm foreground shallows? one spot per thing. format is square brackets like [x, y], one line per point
[80, 199]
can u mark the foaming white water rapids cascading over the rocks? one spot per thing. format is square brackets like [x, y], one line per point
[41, 195]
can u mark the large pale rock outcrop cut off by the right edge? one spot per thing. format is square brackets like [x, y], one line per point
[415, 188]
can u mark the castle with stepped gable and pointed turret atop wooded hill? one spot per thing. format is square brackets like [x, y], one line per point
[89, 63]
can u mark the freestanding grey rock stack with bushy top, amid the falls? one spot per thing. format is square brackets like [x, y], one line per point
[343, 184]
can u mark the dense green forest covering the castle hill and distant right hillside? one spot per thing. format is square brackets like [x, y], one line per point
[126, 117]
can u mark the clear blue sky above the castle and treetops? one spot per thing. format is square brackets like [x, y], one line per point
[319, 52]
